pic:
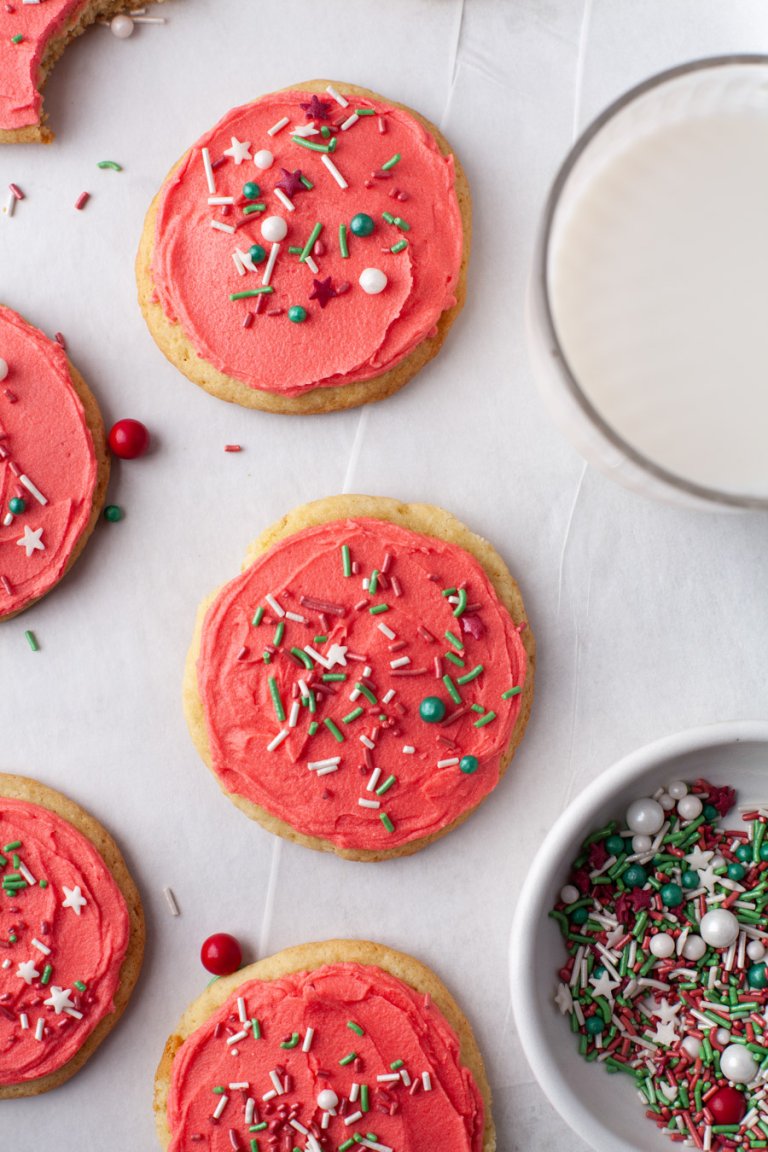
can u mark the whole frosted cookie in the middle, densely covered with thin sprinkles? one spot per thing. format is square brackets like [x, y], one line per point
[367, 680]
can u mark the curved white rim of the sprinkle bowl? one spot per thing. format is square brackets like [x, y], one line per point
[523, 965]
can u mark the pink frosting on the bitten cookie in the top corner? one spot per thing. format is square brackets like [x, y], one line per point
[20, 64]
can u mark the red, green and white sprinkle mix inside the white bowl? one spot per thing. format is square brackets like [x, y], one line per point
[664, 918]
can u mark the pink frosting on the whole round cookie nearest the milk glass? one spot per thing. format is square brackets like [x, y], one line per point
[356, 336]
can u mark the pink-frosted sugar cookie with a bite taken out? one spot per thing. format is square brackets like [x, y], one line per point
[33, 36]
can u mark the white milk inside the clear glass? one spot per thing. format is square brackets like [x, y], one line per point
[658, 282]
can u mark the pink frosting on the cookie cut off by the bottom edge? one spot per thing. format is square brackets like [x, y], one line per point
[397, 1025]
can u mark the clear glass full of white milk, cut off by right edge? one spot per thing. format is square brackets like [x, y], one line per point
[648, 307]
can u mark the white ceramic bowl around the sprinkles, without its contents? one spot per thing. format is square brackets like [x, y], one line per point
[605, 1109]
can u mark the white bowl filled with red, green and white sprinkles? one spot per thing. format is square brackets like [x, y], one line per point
[640, 951]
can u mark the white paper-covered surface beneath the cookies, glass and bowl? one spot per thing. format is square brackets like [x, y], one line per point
[648, 619]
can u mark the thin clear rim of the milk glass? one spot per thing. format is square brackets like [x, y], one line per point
[541, 282]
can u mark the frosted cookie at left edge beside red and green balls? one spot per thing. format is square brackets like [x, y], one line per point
[55, 466]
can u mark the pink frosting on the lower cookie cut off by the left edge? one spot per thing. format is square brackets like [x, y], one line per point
[47, 945]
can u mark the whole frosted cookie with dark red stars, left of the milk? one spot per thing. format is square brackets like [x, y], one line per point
[308, 254]
